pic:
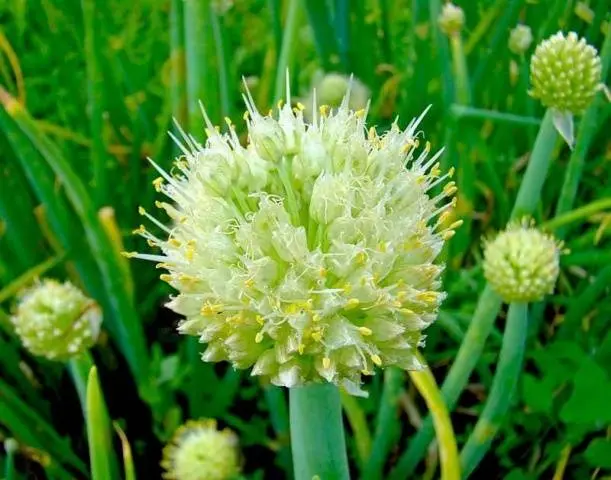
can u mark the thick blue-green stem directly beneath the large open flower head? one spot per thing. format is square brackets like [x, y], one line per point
[317, 433]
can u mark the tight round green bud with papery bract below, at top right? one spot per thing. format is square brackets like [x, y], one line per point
[565, 73]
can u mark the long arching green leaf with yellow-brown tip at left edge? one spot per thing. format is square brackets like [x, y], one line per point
[124, 315]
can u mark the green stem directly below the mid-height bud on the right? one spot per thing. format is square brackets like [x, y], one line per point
[503, 389]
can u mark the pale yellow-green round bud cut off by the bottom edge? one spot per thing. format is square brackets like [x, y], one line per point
[198, 451]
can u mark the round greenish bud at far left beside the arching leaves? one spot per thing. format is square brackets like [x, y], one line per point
[56, 320]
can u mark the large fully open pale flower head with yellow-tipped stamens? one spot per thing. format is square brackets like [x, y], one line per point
[308, 254]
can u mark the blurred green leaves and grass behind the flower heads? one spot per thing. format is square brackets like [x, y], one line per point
[89, 89]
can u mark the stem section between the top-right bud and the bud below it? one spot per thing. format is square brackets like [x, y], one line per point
[538, 166]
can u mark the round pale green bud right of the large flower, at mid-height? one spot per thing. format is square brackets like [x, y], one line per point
[521, 264]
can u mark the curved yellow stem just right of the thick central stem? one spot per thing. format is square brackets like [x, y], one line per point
[448, 451]
